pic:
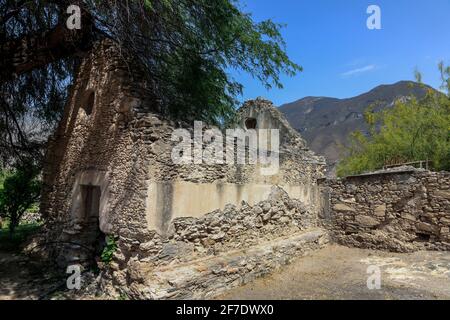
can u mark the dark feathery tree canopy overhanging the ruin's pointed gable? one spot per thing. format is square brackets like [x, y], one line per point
[186, 49]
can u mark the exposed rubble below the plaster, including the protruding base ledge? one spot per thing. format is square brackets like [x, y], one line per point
[219, 250]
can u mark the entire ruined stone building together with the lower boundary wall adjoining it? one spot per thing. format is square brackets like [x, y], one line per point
[195, 230]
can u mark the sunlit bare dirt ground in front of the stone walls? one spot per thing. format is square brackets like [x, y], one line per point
[340, 273]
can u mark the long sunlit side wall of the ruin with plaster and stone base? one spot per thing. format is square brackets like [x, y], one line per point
[189, 254]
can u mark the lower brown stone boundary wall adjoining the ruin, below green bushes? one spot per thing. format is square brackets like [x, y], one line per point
[399, 211]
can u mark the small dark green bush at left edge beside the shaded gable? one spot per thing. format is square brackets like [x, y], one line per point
[19, 192]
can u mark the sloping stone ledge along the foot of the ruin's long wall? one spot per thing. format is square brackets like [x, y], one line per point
[209, 277]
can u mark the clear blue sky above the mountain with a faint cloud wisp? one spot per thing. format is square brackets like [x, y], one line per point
[341, 57]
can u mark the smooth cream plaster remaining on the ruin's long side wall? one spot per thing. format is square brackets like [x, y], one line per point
[167, 201]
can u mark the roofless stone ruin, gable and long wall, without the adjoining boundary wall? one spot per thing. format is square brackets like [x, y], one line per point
[113, 138]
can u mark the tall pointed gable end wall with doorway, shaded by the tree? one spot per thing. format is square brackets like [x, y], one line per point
[95, 144]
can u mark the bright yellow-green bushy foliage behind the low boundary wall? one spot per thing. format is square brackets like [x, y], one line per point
[413, 130]
